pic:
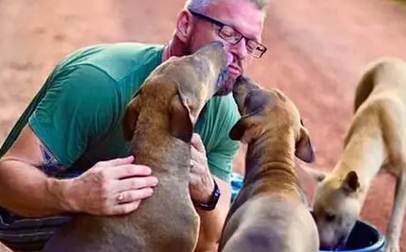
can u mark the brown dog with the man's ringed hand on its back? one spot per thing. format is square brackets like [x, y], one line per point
[160, 122]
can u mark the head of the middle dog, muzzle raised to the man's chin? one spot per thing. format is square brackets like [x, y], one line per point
[268, 111]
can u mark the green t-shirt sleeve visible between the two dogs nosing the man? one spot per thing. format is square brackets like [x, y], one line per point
[220, 158]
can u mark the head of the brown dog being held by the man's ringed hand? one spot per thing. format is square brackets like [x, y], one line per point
[182, 85]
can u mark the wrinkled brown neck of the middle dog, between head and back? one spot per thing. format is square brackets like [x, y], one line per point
[270, 161]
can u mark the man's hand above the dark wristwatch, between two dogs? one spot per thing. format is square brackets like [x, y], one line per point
[201, 183]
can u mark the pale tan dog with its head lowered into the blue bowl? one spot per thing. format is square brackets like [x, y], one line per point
[376, 140]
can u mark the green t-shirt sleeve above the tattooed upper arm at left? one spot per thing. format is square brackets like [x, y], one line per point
[79, 105]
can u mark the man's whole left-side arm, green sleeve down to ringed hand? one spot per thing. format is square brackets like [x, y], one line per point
[68, 117]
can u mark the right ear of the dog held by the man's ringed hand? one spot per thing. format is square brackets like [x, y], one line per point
[181, 118]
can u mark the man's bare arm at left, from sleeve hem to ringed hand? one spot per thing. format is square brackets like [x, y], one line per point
[27, 191]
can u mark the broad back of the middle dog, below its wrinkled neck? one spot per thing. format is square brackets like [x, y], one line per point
[271, 223]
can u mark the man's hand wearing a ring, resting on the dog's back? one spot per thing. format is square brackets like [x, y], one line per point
[111, 187]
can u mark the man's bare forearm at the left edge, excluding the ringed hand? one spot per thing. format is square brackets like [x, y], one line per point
[27, 191]
